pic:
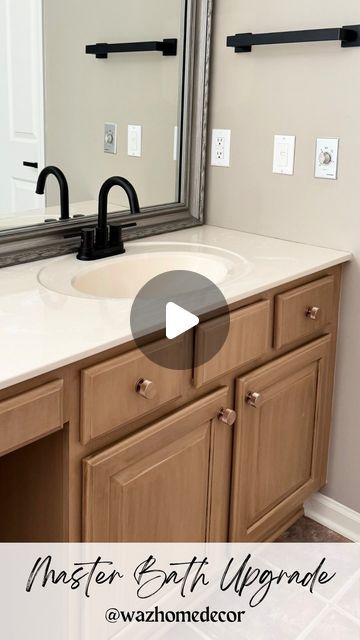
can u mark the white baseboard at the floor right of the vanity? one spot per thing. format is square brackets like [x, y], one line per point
[334, 515]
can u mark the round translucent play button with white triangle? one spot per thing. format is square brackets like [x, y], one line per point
[172, 305]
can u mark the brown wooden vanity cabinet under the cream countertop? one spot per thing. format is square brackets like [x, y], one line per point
[105, 458]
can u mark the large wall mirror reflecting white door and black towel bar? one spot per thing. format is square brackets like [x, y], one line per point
[135, 108]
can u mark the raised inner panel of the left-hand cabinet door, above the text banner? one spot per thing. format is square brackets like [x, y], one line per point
[146, 507]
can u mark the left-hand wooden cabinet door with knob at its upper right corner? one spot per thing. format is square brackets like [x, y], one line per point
[168, 483]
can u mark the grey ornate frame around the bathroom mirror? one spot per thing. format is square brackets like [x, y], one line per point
[27, 244]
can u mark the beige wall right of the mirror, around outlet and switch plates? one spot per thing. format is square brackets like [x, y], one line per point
[309, 90]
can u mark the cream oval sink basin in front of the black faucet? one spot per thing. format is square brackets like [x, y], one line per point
[122, 277]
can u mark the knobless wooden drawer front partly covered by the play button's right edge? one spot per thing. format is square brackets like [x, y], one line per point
[248, 340]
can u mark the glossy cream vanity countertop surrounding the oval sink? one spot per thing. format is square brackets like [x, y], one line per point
[41, 330]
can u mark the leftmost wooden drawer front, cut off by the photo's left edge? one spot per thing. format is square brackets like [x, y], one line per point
[30, 416]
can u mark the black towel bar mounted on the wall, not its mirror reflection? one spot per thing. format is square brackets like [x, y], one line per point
[349, 36]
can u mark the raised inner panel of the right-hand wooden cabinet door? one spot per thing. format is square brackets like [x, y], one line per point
[278, 473]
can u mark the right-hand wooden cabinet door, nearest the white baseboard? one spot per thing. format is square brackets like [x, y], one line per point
[281, 440]
